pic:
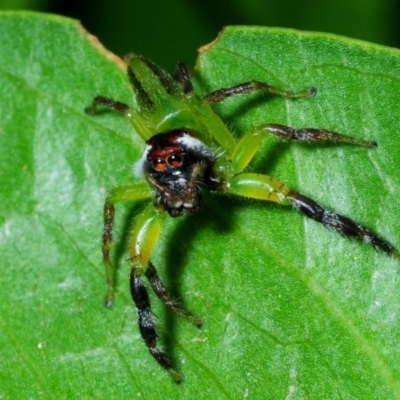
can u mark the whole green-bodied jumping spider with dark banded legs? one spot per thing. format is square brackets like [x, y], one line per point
[188, 150]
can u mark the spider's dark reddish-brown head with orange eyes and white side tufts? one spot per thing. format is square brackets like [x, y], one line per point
[177, 165]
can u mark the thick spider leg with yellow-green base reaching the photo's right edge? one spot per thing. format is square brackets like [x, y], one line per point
[264, 187]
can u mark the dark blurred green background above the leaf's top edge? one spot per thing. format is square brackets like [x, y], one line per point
[172, 30]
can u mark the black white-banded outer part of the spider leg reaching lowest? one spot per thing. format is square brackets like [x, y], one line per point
[146, 324]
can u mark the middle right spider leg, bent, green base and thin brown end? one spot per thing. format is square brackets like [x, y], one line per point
[250, 142]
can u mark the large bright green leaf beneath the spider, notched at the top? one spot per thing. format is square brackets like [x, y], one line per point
[291, 309]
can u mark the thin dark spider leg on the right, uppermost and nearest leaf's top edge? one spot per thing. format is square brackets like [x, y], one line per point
[253, 86]
